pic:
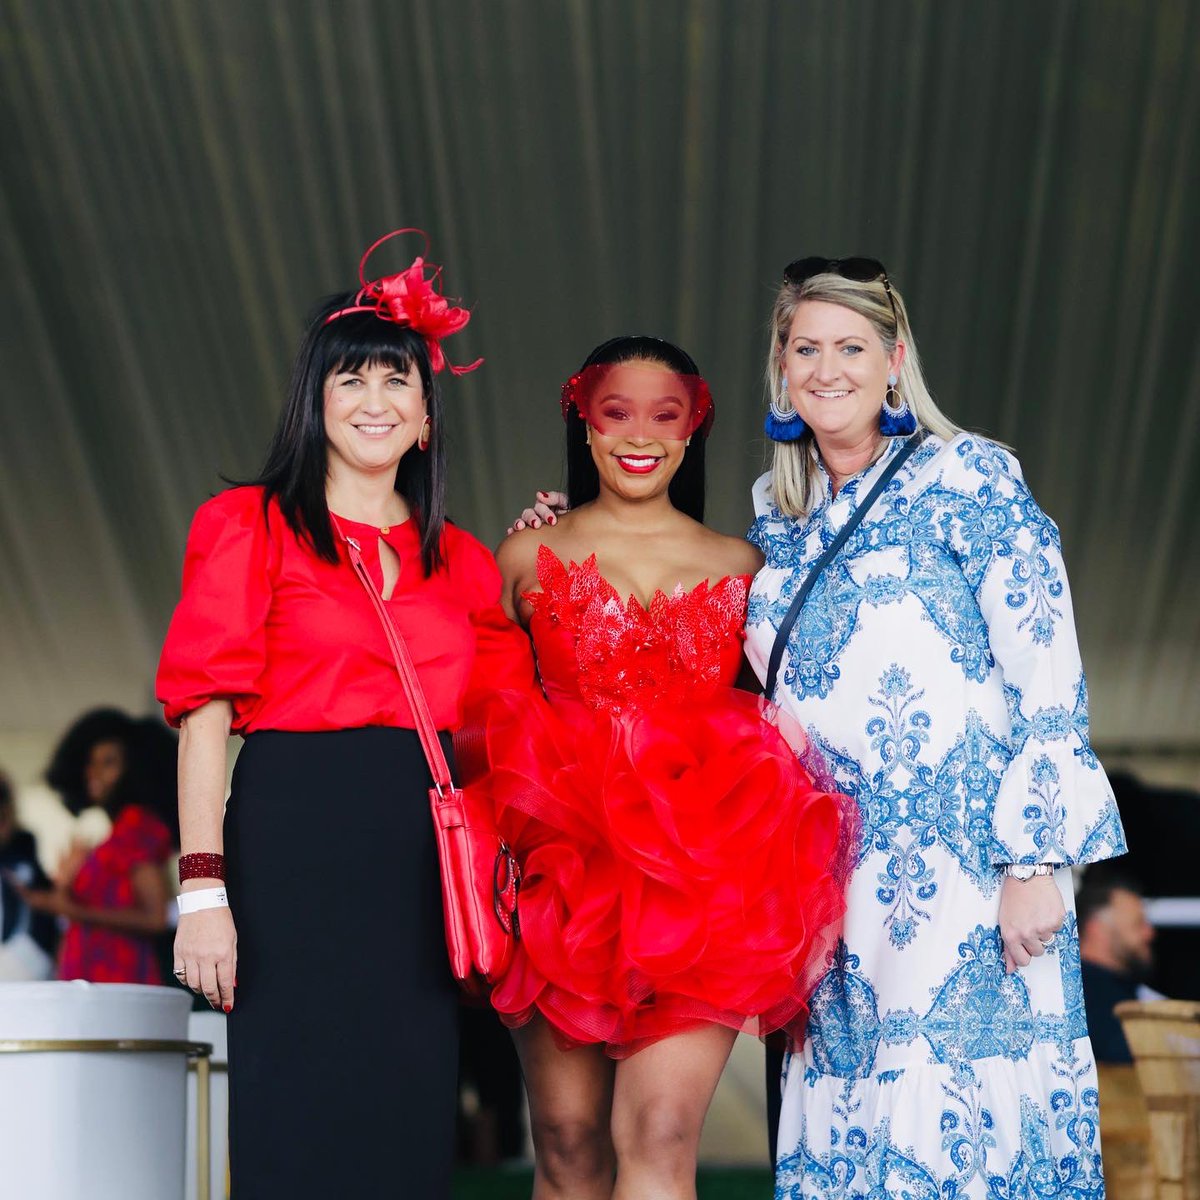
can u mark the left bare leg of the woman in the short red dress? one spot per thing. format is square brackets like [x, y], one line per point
[571, 1101]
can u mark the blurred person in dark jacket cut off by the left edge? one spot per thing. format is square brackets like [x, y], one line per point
[28, 939]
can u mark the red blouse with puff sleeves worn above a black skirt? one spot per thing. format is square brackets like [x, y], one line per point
[293, 643]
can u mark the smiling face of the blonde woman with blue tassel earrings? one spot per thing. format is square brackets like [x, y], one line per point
[837, 373]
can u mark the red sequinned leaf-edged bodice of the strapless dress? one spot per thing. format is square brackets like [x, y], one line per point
[621, 657]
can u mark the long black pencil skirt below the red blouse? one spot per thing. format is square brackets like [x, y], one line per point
[344, 1039]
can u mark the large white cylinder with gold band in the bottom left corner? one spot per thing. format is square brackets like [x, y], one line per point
[103, 1126]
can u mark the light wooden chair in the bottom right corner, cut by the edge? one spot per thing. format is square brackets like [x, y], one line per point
[1165, 1037]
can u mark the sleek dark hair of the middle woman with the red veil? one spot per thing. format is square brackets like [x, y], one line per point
[687, 489]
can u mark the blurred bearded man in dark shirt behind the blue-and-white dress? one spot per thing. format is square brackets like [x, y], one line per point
[1117, 955]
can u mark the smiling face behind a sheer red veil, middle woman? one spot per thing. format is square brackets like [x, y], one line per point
[638, 421]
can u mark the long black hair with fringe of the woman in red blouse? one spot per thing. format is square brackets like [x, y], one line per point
[296, 467]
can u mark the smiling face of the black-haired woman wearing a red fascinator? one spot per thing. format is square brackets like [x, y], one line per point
[374, 416]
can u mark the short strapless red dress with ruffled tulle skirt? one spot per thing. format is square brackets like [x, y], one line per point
[680, 867]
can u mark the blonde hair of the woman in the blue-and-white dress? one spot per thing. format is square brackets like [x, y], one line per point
[794, 471]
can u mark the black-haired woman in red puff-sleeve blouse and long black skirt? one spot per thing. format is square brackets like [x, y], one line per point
[331, 958]
